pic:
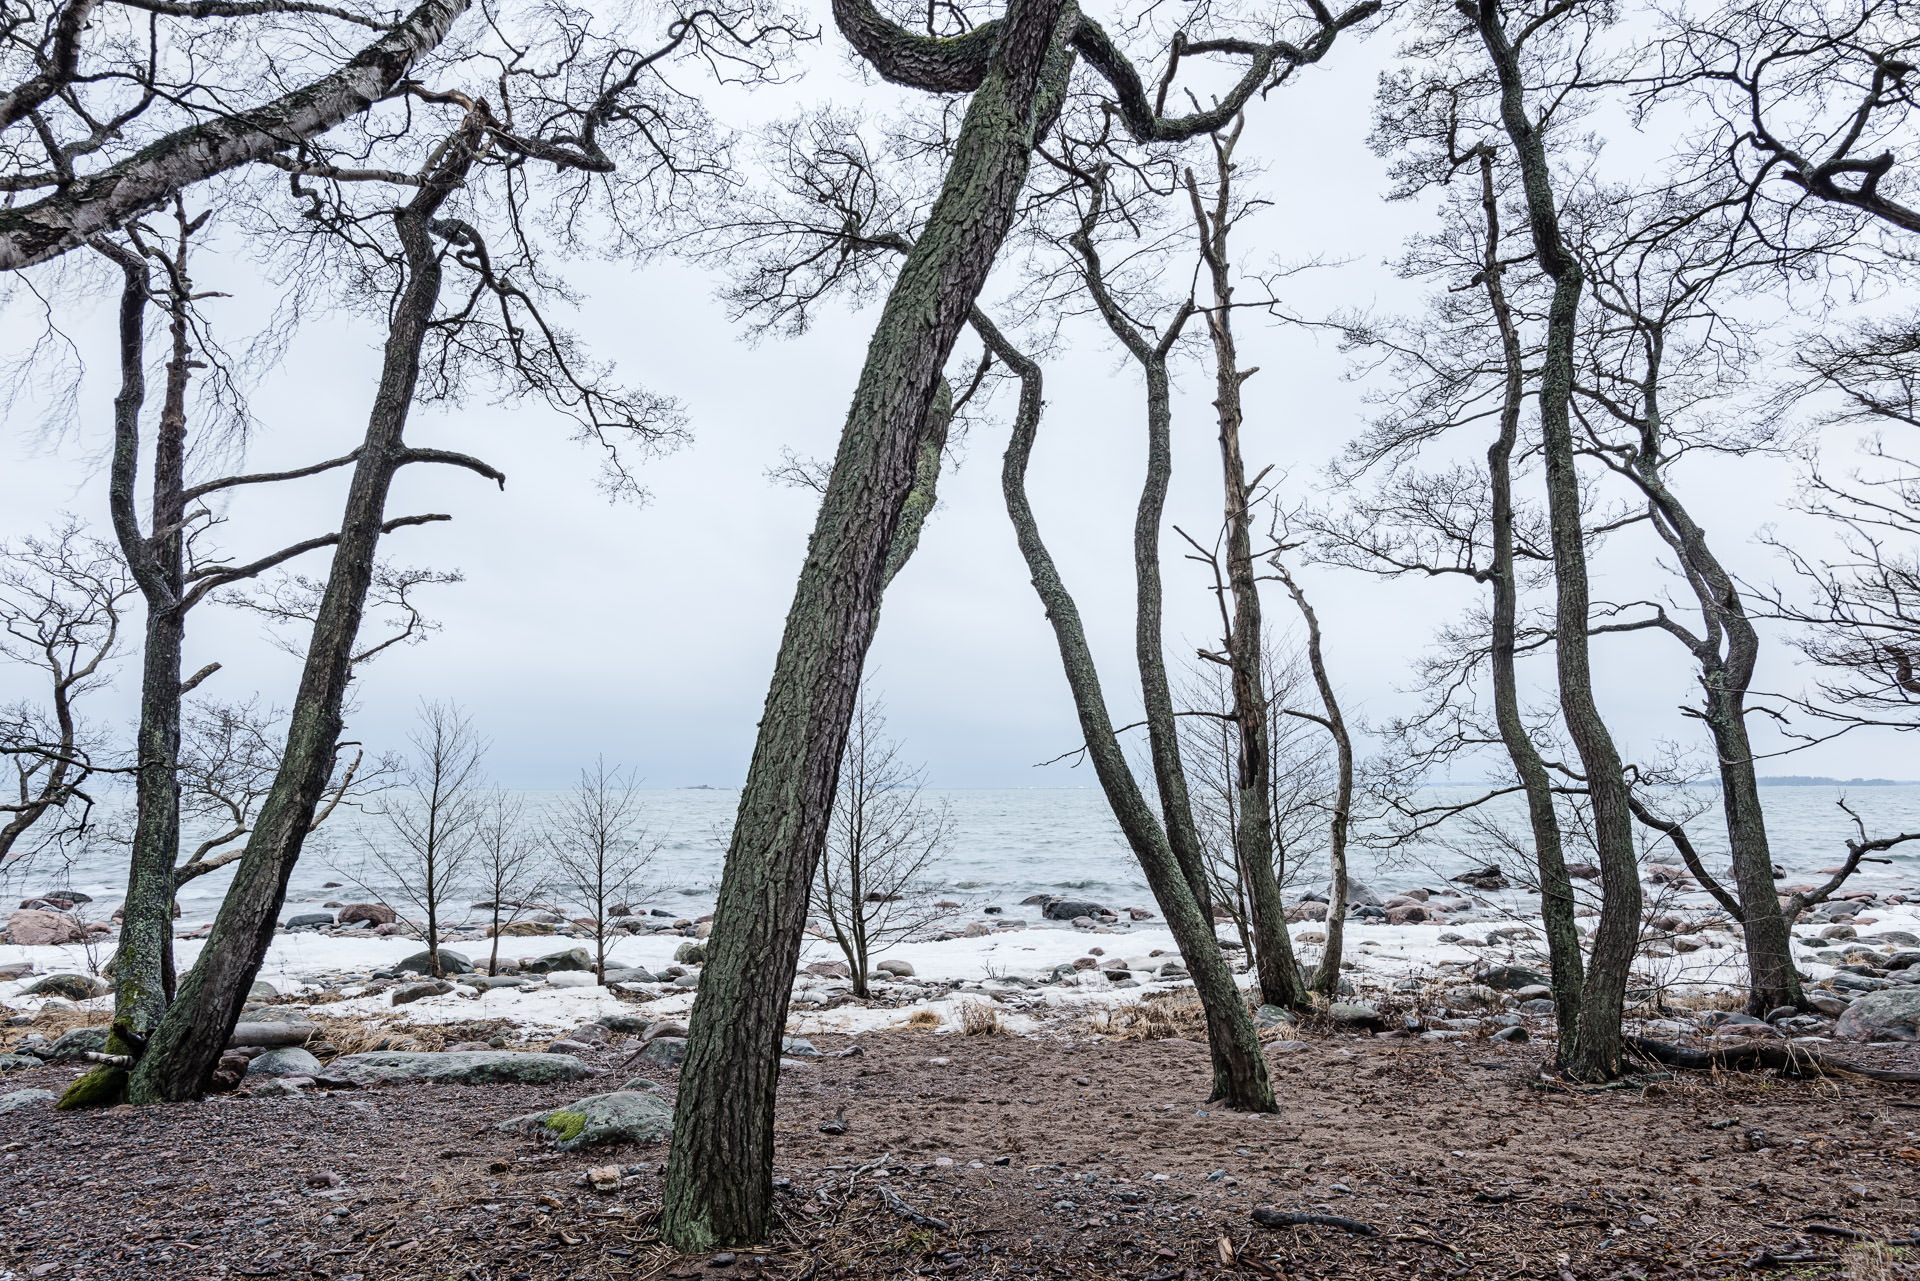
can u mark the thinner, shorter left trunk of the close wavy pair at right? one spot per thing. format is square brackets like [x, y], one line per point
[1556, 888]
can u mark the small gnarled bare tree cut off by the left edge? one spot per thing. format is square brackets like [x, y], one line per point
[60, 612]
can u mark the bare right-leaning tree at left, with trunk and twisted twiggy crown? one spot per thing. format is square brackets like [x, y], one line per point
[454, 203]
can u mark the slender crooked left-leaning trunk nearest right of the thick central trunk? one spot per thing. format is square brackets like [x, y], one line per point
[1239, 1073]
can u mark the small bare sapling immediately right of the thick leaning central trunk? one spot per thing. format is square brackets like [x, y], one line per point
[886, 833]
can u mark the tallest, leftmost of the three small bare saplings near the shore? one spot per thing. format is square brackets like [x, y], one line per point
[433, 821]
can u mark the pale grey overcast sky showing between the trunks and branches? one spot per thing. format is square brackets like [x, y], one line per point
[646, 633]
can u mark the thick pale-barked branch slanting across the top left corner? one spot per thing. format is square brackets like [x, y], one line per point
[147, 180]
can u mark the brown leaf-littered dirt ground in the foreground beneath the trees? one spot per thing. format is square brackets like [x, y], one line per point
[1458, 1155]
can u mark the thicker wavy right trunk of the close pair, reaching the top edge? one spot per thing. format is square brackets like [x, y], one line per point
[1596, 1053]
